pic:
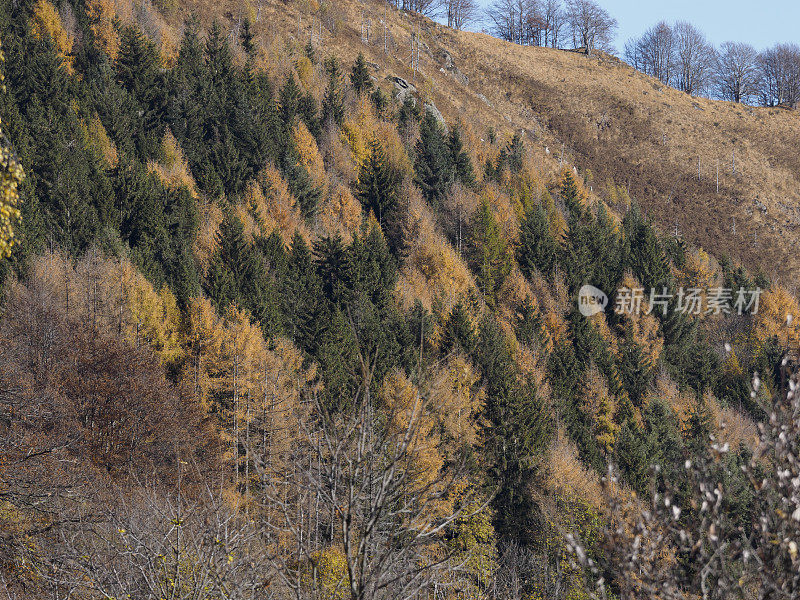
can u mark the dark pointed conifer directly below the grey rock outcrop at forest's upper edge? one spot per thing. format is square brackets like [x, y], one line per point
[433, 166]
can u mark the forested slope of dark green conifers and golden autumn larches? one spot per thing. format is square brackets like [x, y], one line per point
[274, 327]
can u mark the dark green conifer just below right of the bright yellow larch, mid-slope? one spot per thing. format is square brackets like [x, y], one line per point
[378, 188]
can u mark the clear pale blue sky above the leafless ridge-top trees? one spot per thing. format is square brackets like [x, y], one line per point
[761, 24]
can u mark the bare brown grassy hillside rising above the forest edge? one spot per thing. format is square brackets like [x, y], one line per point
[621, 125]
